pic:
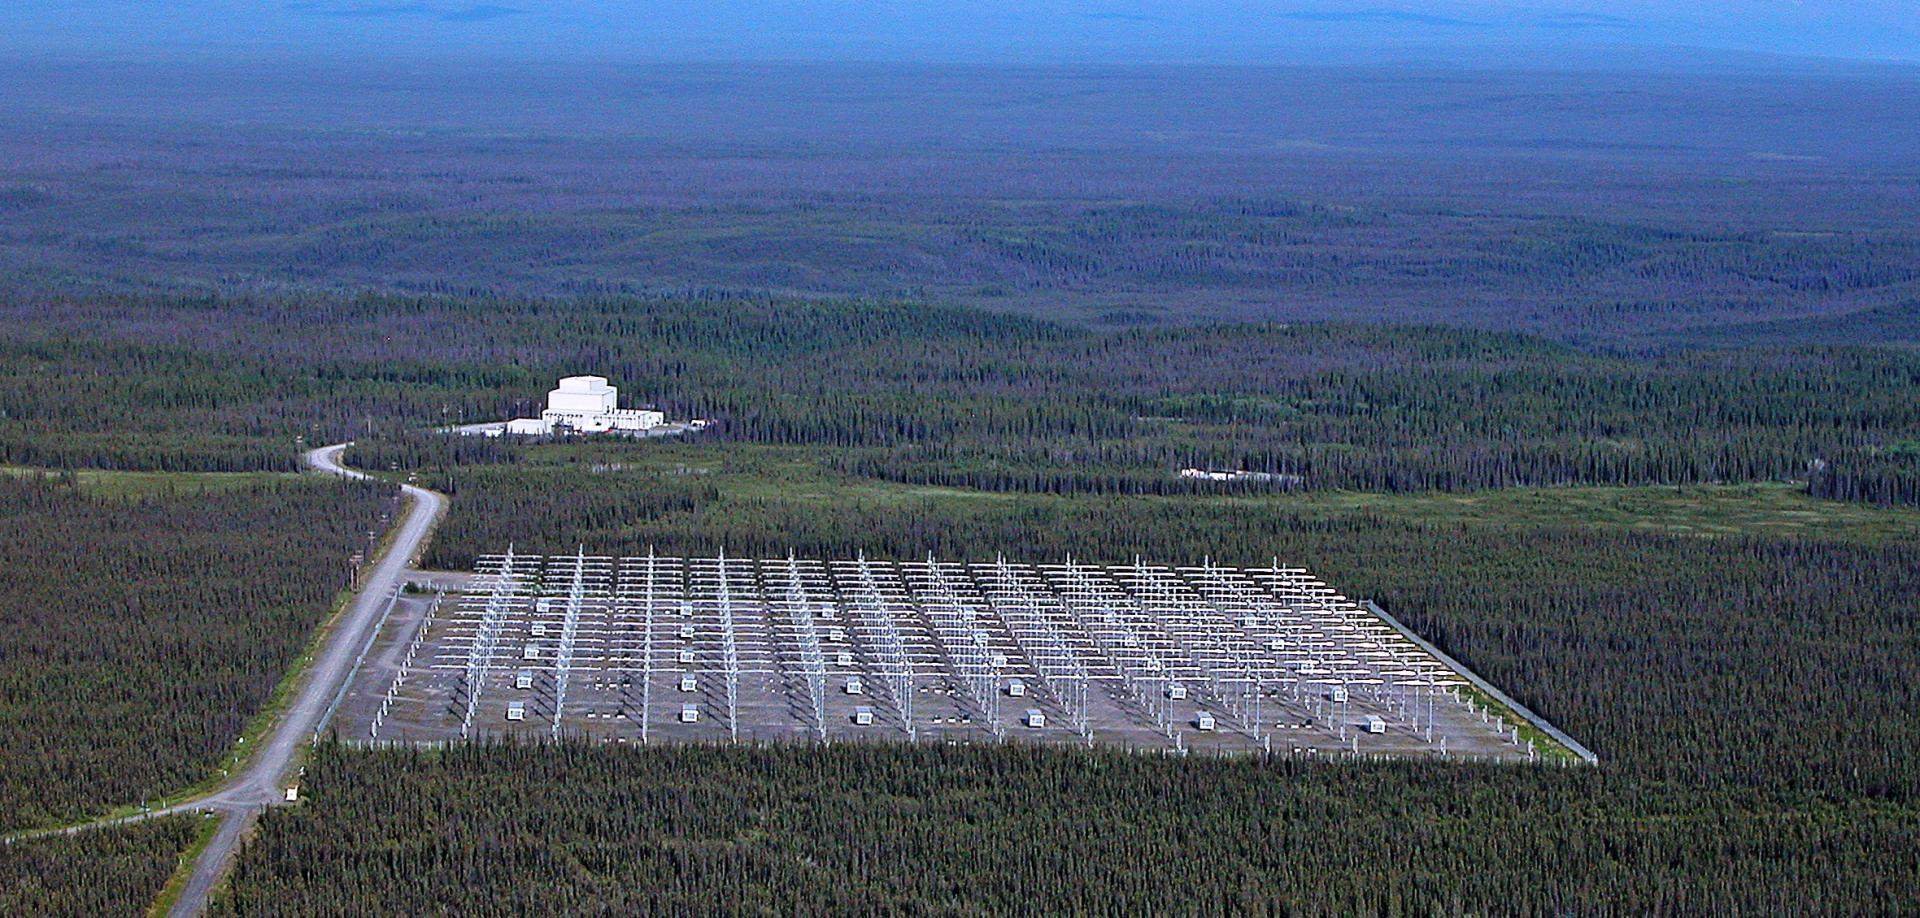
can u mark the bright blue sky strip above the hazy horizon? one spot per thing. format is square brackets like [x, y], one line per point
[1024, 32]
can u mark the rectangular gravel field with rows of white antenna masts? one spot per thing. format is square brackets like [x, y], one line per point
[658, 650]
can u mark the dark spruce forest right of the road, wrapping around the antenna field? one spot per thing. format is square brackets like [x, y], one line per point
[1750, 702]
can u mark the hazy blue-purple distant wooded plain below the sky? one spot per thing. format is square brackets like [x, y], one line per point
[1595, 205]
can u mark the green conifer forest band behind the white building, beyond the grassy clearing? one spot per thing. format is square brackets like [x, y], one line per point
[963, 399]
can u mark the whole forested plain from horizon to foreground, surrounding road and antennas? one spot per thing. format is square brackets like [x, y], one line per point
[1604, 379]
